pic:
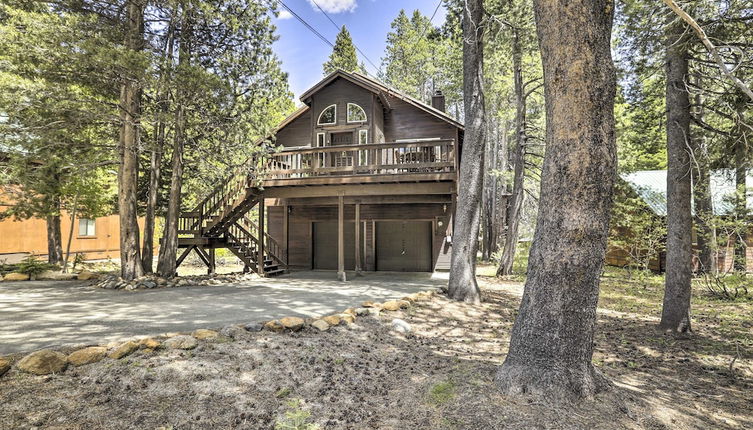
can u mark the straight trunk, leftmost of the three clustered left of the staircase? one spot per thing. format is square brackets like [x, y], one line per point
[130, 107]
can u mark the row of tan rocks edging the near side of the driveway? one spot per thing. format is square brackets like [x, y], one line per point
[49, 361]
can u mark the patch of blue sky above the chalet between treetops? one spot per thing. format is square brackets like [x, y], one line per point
[302, 53]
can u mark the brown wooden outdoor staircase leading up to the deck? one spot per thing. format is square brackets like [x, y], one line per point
[221, 221]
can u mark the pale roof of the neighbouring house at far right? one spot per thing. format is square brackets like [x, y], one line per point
[651, 187]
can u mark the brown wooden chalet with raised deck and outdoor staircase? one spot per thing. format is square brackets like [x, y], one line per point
[365, 181]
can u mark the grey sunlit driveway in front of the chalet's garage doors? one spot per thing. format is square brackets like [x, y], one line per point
[37, 314]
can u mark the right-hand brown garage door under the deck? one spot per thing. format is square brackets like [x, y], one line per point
[403, 246]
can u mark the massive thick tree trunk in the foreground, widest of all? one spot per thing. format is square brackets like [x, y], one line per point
[552, 339]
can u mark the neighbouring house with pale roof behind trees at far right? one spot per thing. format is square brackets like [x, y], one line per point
[651, 187]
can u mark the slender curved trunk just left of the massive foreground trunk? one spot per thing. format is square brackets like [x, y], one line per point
[516, 199]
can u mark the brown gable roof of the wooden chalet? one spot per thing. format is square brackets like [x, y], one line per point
[381, 90]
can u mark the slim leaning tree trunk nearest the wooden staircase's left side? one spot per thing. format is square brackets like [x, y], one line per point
[166, 264]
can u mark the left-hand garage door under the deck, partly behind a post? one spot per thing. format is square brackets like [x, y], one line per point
[325, 245]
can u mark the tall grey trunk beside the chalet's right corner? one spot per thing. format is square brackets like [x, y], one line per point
[462, 285]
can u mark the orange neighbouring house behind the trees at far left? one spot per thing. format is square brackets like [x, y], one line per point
[94, 238]
